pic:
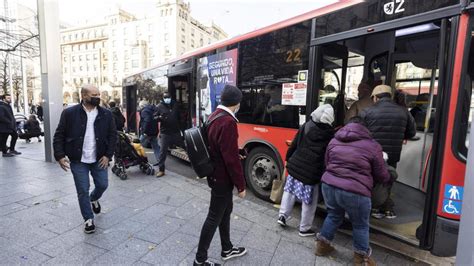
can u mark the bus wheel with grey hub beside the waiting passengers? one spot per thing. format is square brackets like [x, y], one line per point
[261, 168]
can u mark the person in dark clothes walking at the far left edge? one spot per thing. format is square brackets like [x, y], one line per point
[7, 127]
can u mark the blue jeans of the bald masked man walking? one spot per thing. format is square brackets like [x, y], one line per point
[80, 172]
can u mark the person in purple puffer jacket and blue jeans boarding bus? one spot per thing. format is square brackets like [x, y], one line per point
[354, 161]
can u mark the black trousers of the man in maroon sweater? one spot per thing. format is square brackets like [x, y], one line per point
[219, 213]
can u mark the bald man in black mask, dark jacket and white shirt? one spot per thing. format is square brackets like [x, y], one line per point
[84, 142]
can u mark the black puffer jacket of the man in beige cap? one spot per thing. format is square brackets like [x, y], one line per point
[389, 124]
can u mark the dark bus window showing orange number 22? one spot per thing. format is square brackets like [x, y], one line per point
[266, 63]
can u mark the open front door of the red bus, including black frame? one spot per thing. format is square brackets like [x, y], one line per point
[399, 57]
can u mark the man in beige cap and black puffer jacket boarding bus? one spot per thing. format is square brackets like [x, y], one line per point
[389, 124]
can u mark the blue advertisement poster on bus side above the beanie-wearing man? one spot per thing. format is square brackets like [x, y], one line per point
[215, 71]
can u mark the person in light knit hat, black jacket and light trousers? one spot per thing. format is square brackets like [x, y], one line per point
[305, 165]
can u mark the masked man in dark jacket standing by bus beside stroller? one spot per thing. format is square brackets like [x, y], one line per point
[168, 115]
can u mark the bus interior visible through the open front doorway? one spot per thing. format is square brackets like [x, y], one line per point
[406, 59]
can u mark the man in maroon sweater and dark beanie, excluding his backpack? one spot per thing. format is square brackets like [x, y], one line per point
[224, 150]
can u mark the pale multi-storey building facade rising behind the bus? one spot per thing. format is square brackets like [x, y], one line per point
[103, 54]
